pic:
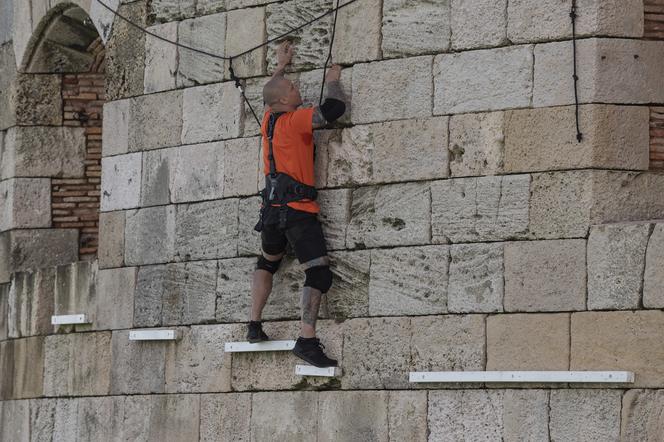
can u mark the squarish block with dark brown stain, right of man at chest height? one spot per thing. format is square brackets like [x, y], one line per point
[477, 144]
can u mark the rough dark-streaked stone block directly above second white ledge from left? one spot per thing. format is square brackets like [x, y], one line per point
[175, 294]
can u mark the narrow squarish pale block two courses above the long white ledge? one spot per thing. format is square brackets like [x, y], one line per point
[476, 278]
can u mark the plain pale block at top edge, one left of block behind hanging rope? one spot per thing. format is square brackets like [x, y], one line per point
[478, 24]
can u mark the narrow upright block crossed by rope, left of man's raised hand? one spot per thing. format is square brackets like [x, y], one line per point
[246, 30]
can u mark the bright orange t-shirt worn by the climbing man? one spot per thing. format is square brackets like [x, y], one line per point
[293, 146]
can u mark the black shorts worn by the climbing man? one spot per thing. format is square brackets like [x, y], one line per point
[303, 231]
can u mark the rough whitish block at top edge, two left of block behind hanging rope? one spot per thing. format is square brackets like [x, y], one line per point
[412, 29]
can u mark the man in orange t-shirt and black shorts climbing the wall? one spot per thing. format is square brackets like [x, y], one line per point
[289, 210]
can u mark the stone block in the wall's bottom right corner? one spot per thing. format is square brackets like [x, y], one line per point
[642, 415]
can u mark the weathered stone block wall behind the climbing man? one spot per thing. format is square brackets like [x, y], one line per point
[468, 230]
